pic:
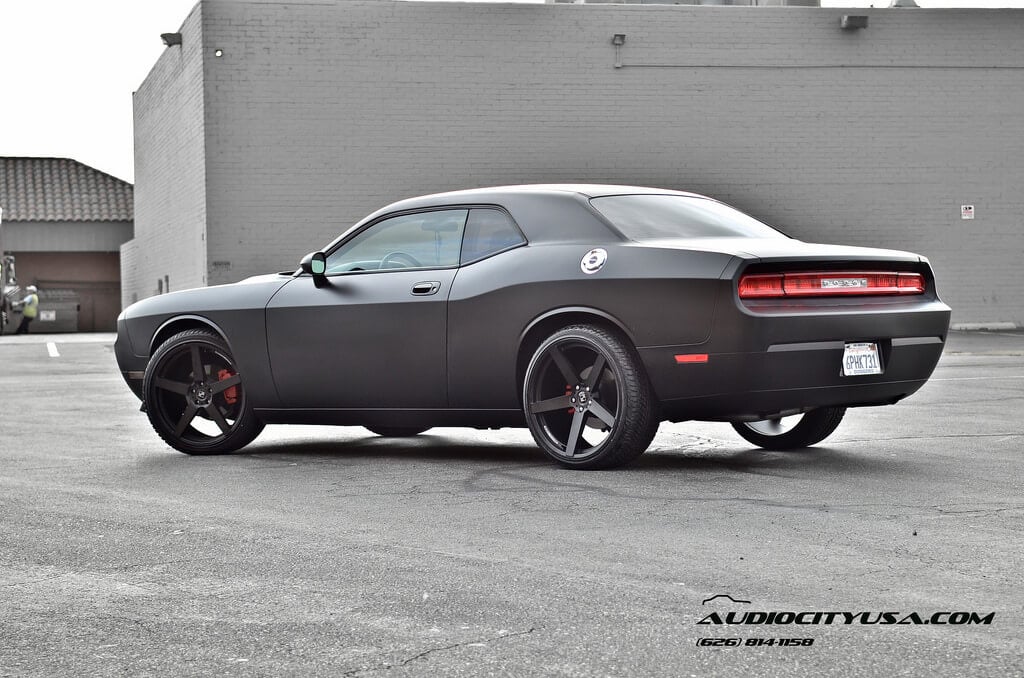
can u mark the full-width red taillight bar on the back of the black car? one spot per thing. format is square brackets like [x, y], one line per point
[828, 284]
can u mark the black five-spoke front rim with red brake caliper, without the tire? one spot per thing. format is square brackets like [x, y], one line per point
[197, 394]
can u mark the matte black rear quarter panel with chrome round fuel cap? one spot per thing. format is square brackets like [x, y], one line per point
[658, 296]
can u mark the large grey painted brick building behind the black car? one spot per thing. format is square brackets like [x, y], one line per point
[274, 126]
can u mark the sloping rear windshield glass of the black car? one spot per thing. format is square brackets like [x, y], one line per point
[668, 218]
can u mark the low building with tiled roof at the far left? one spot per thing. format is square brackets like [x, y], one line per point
[65, 224]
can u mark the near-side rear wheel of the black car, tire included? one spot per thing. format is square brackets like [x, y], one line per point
[583, 379]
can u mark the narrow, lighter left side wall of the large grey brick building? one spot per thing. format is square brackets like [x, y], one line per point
[170, 176]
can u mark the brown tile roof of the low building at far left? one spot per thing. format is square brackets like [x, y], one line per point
[62, 190]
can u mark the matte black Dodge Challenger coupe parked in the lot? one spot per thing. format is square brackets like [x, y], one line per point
[589, 314]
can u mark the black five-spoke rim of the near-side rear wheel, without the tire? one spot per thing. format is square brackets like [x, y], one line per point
[574, 399]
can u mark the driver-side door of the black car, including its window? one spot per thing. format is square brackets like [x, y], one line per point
[374, 336]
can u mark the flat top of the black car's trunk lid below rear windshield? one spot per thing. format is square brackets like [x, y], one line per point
[782, 249]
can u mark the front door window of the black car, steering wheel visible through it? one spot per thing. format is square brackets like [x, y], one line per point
[423, 240]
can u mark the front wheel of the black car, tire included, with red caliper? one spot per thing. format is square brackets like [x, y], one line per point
[209, 415]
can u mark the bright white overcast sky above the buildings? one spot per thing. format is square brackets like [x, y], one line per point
[69, 69]
